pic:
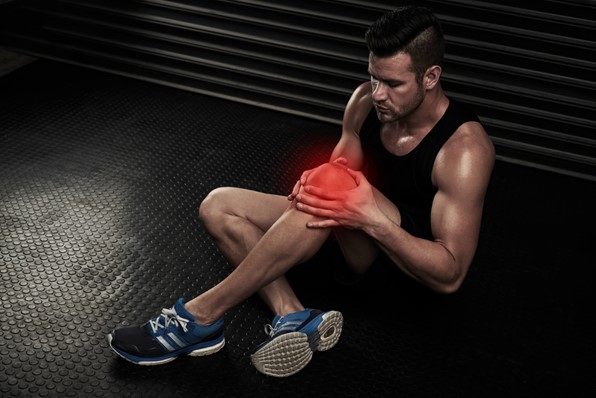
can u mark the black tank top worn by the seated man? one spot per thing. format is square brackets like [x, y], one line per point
[406, 180]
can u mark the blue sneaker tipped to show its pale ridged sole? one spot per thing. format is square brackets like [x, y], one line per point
[294, 338]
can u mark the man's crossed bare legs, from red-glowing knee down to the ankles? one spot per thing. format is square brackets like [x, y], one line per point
[264, 238]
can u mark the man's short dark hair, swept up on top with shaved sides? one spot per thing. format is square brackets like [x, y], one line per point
[414, 30]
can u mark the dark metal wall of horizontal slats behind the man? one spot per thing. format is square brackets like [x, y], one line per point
[525, 69]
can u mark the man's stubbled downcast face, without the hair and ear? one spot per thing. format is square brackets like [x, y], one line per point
[395, 92]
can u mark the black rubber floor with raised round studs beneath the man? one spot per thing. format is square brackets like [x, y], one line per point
[100, 180]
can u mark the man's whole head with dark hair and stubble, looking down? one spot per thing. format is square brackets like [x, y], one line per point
[406, 53]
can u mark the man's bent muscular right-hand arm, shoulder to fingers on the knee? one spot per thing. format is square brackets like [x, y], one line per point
[461, 173]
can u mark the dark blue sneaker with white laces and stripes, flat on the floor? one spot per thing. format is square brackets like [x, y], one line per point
[164, 338]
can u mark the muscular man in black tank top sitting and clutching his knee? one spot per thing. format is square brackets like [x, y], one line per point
[405, 185]
